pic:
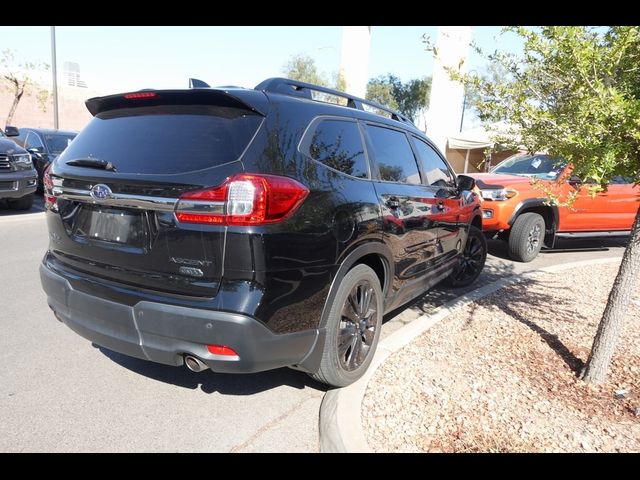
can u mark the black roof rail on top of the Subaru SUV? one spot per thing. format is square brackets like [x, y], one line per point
[302, 89]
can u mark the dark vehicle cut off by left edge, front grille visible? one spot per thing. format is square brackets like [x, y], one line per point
[18, 178]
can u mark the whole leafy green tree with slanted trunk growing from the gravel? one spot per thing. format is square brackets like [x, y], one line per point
[575, 92]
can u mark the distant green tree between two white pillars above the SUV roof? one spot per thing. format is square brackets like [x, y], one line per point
[408, 98]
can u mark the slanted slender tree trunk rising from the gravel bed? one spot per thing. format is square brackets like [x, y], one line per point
[604, 343]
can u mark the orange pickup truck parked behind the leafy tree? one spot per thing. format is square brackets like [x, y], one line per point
[517, 211]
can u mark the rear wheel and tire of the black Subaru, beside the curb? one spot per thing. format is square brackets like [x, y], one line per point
[352, 332]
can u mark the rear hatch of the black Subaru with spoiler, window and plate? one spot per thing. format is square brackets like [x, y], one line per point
[113, 192]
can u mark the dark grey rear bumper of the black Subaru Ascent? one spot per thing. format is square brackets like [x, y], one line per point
[164, 333]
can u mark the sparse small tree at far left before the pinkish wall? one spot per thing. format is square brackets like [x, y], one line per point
[17, 76]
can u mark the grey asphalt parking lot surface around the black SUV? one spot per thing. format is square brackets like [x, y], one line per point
[60, 393]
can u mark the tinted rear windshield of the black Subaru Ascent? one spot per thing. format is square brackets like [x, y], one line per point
[165, 139]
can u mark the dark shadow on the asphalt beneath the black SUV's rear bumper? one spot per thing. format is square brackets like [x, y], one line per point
[210, 382]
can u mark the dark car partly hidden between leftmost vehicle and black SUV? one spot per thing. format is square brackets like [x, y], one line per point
[45, 145]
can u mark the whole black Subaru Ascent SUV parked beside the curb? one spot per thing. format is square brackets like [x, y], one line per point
[243, 230]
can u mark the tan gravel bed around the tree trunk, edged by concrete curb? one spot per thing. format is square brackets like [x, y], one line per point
[500, 376]
